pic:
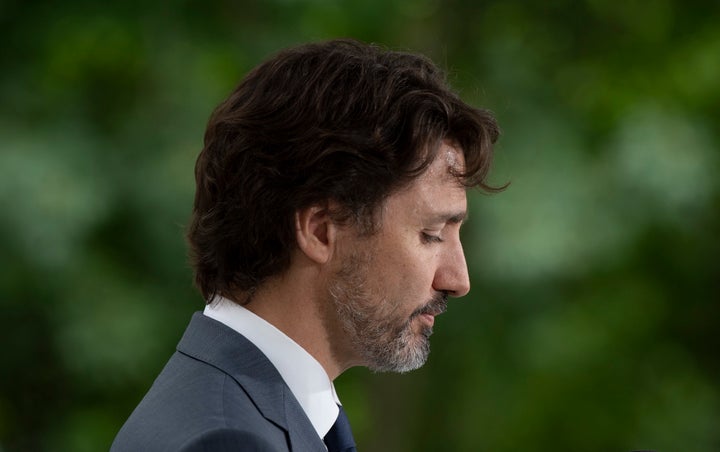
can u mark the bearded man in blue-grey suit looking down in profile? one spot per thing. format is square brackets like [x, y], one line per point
[325, 235]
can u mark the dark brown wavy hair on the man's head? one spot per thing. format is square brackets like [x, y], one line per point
[337, 121]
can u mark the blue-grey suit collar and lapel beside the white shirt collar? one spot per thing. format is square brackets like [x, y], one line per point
[220, 346]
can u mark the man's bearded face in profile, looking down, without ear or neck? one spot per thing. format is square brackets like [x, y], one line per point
[389, 287]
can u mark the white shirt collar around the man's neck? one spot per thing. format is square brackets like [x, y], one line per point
[305, 377]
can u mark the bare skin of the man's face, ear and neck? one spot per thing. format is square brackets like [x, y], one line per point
[351, 300]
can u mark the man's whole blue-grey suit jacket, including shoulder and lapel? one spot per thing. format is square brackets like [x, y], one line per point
[218, 392]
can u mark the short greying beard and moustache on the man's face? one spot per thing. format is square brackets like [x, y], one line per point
[383, 338]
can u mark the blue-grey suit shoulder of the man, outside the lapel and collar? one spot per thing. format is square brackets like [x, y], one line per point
[194, 406]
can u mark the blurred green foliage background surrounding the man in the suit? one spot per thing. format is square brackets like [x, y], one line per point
[592, 323]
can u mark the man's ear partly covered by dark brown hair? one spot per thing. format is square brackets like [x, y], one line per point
[315, 232]
